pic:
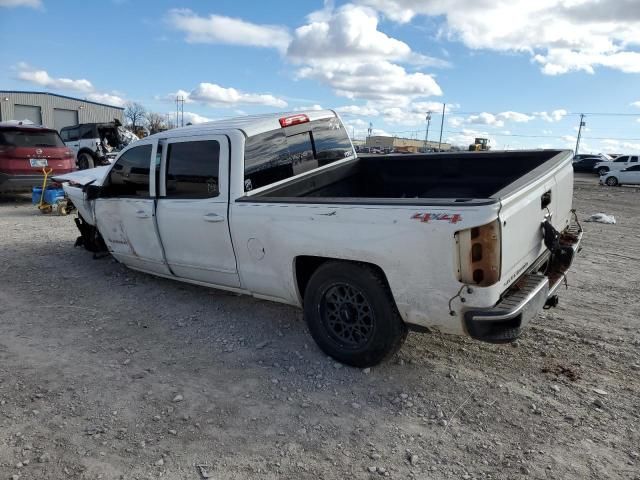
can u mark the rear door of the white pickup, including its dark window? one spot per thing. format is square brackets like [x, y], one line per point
[192, 210]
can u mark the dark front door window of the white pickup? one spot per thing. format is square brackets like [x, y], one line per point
[129, 176]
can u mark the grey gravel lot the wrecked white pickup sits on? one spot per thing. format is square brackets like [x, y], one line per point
[108, 373]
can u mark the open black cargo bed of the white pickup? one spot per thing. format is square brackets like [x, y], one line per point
[462, 177]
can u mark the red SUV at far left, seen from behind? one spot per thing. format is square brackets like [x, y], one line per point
[25, 150]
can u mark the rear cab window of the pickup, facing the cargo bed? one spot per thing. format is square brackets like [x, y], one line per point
[280, 154]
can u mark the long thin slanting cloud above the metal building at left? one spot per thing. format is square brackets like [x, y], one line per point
[42, 78]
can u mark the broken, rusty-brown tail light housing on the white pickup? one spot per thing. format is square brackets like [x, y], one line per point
[479, 254]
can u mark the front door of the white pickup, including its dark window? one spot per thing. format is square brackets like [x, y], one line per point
[125, 210]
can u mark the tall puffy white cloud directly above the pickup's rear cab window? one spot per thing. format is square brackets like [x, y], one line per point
[343, 49]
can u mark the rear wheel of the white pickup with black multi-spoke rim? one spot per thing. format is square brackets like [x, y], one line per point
[351, 314]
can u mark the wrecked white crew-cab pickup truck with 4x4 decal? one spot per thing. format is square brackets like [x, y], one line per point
[280, 207]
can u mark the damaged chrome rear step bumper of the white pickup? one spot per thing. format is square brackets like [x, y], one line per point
[525, 299]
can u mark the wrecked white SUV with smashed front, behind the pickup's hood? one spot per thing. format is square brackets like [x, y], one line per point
[96, 144]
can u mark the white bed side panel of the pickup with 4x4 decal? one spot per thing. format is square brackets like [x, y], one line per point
[419, 258]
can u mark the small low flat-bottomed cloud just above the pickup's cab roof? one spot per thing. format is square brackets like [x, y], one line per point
[217, 96]
